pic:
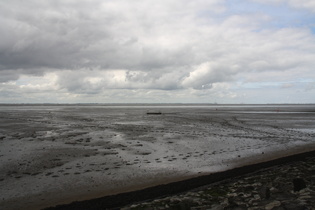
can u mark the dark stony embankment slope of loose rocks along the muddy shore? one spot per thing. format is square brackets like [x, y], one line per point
[287, 186]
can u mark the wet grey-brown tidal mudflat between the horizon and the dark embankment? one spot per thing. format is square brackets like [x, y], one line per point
[52, 155]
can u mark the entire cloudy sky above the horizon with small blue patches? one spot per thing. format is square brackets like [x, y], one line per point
[124, 51]
